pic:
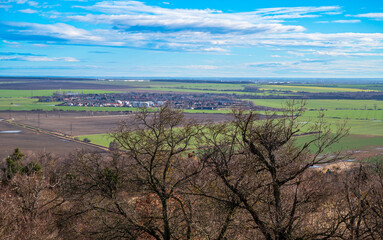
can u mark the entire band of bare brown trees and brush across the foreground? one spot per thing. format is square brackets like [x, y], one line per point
[173, 178]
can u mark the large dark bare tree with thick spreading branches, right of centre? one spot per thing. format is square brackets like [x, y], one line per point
[259, 162]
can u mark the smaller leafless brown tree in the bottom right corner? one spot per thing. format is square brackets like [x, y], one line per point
[358, 203]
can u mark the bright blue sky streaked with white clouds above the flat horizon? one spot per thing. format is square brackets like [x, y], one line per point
[199, 38]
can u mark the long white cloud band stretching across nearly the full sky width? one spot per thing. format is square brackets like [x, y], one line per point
[200, 41]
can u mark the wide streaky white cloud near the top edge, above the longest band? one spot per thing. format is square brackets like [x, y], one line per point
[137, 16]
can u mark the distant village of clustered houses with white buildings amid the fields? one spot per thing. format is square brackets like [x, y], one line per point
[205, 101]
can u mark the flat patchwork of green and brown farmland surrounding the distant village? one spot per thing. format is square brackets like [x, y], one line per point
[364, 117]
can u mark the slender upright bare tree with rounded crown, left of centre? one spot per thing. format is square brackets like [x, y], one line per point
[158, 147]
